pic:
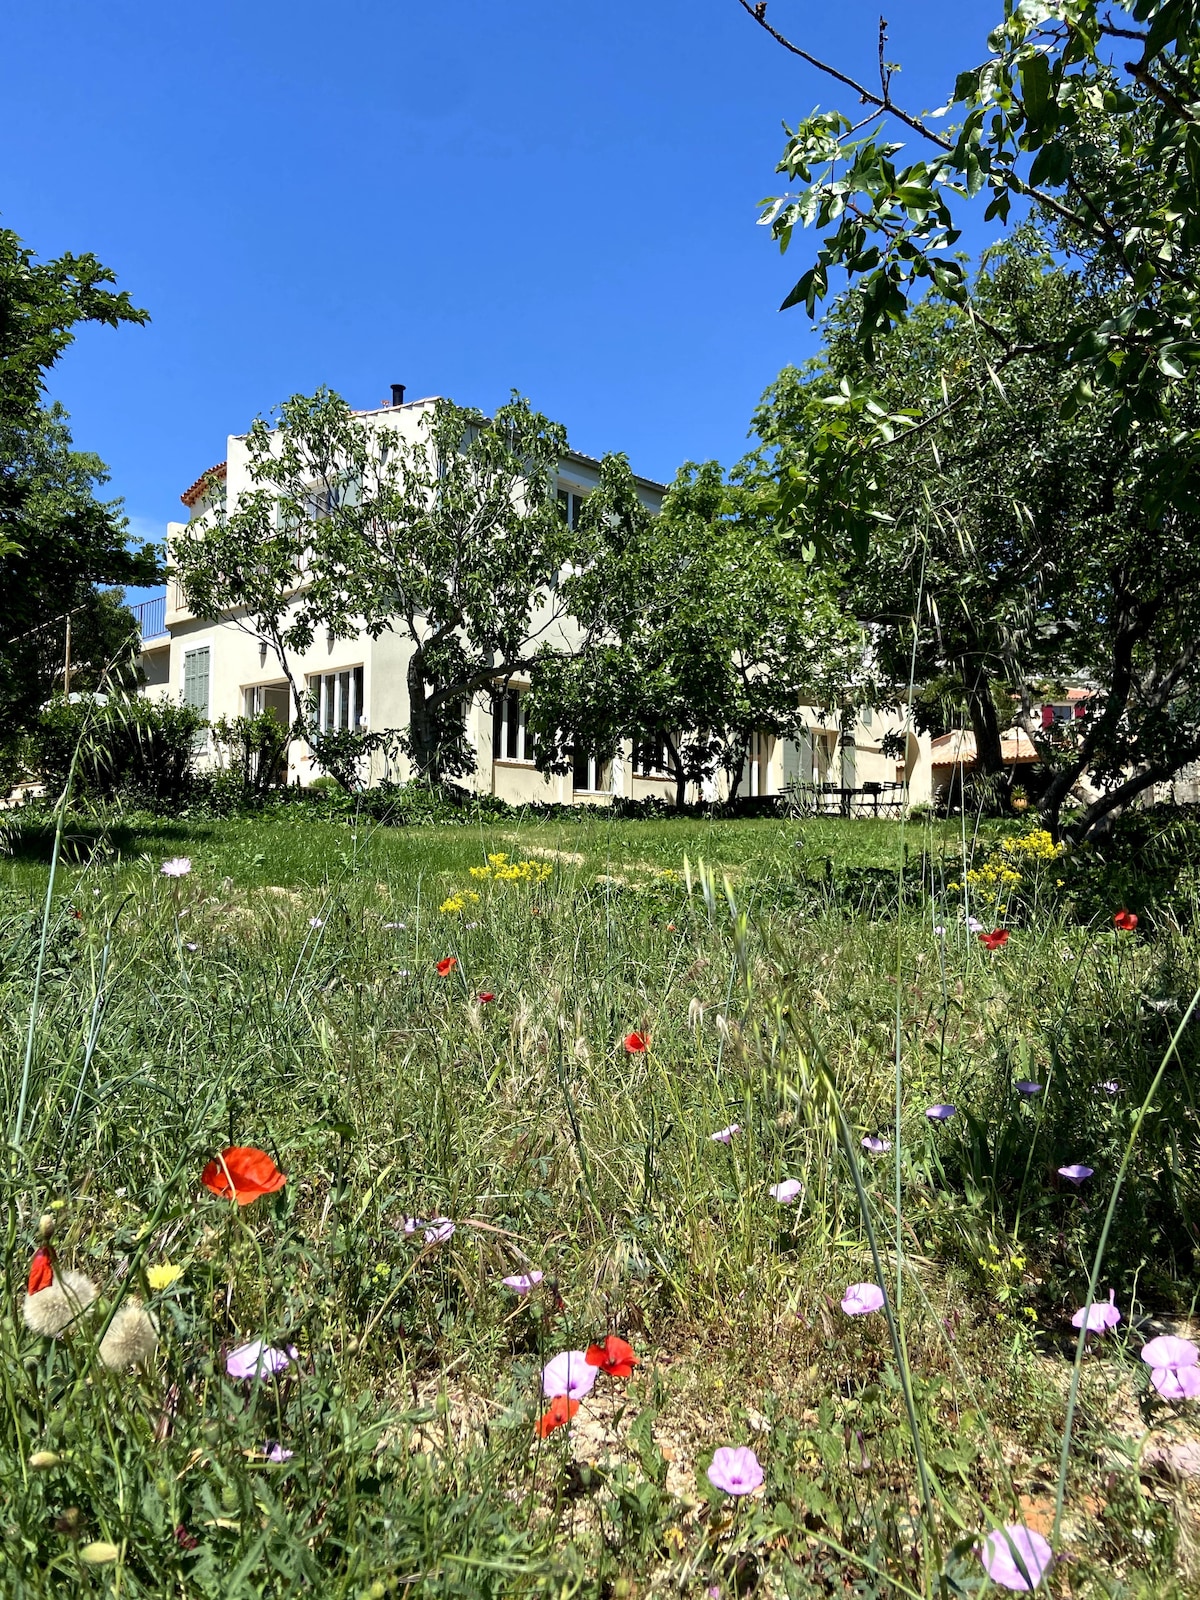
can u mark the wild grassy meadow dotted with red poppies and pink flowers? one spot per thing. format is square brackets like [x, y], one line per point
[366, 1140]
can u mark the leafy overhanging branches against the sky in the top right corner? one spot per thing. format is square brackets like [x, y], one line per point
[1063, 82]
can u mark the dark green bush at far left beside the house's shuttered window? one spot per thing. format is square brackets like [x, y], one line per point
[130, 748]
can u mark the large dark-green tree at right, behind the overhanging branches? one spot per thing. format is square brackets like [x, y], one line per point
[1023, 537]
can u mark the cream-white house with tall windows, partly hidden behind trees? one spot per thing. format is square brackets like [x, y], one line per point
[223, 671]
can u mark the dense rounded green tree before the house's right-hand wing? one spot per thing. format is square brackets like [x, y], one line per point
[698, 631]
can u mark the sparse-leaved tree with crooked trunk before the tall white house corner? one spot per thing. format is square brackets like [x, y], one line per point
[455, 542]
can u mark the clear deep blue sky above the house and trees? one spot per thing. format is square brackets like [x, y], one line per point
[455, 196]
